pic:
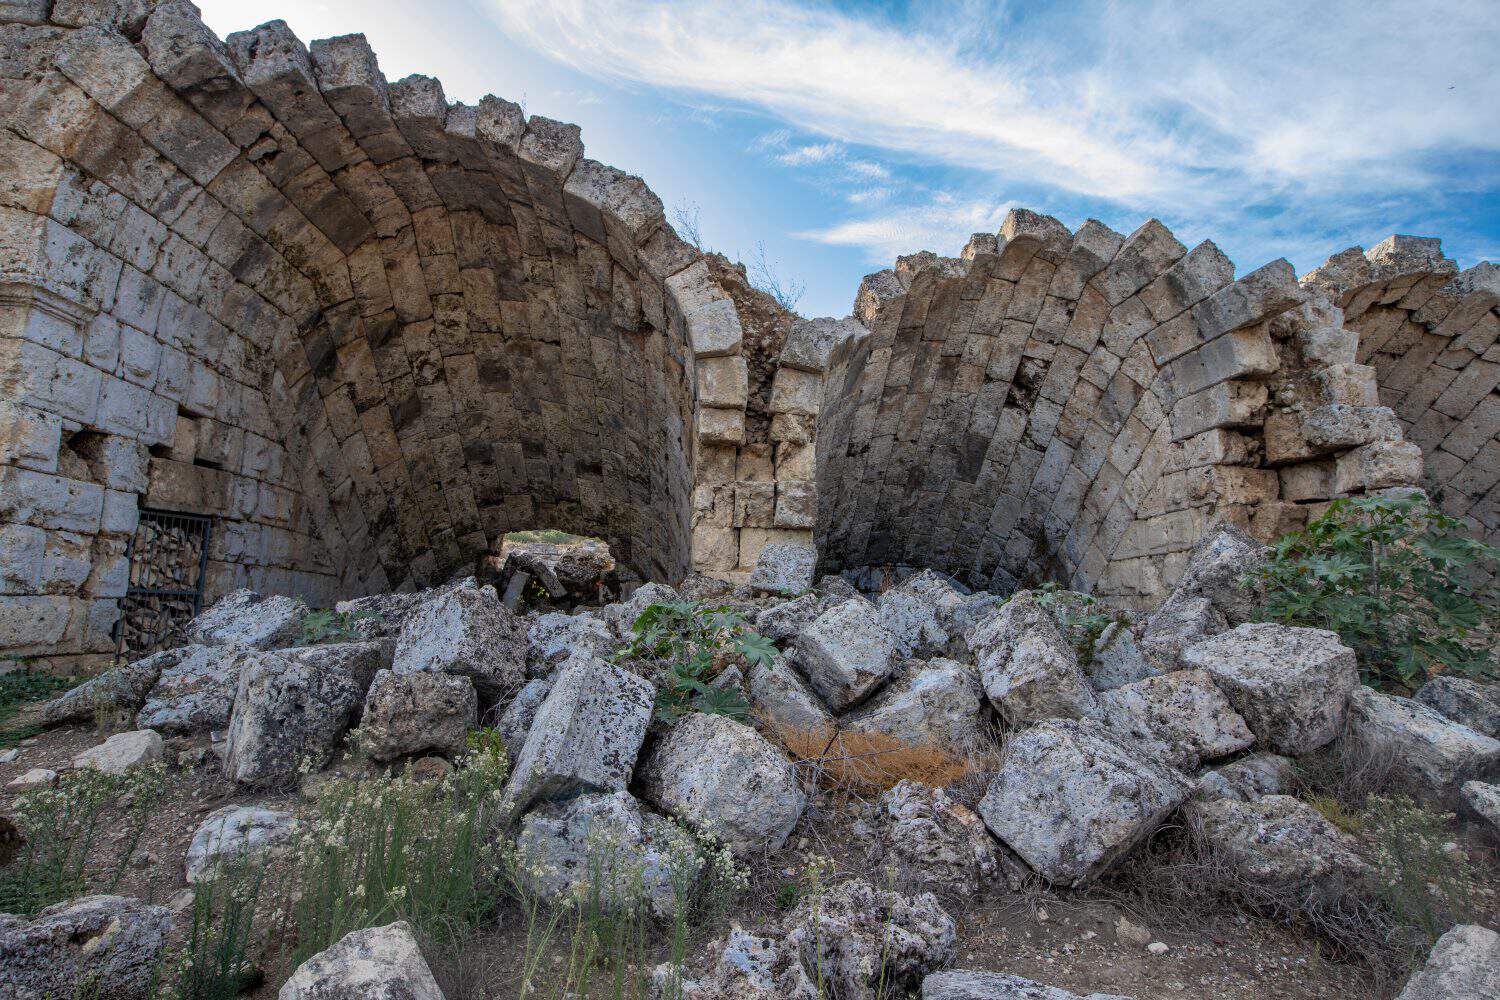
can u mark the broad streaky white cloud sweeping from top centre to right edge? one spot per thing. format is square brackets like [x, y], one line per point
[1210, 106]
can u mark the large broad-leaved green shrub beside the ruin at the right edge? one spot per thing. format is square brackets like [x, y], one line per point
[1399, 581]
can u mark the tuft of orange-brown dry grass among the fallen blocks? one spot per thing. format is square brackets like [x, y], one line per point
[868, 764]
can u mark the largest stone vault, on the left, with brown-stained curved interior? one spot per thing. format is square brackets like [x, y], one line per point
[365, 329]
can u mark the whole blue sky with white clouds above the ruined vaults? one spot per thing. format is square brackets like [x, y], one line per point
[838, 136]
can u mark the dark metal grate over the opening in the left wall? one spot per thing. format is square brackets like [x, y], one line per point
[169, 561]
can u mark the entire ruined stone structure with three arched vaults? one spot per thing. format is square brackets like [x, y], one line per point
[361, 334]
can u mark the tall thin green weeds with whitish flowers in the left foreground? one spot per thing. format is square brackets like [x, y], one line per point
[395, 848]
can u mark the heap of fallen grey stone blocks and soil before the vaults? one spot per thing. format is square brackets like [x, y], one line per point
[1099, 762]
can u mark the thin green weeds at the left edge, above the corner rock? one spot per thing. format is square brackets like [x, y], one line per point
[62, 827]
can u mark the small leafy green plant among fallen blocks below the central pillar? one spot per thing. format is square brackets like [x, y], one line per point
[694, 645]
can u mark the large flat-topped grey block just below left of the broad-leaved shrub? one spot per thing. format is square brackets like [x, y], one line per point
[1291, 684]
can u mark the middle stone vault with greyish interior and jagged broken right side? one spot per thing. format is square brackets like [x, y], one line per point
[1082, 407]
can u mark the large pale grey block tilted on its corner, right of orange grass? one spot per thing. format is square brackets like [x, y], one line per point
[1072, 801]
